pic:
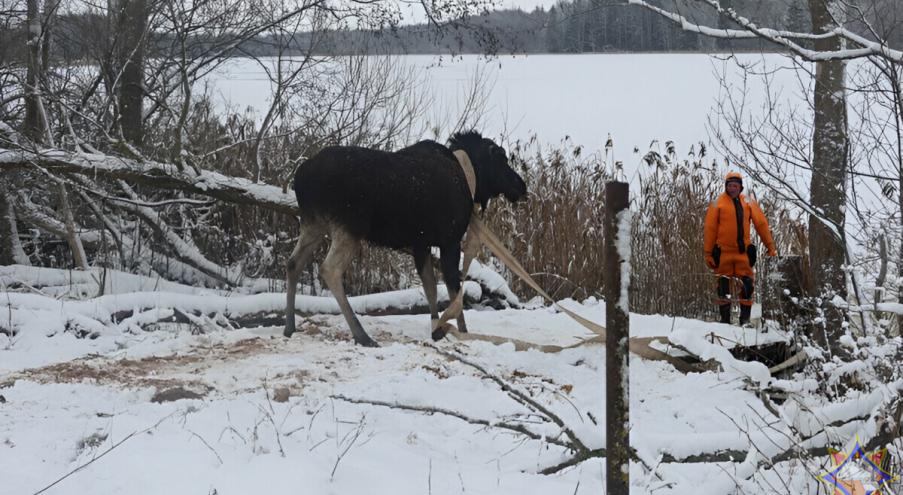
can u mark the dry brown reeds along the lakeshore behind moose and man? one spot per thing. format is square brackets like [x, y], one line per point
[556, 232]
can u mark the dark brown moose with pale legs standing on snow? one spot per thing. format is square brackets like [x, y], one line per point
[415, 198]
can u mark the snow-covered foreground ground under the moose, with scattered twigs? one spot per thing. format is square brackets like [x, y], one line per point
[90, 404]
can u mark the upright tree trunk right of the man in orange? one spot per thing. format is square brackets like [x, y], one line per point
[830, 154]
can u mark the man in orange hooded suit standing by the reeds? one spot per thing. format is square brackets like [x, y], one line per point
[727, 246]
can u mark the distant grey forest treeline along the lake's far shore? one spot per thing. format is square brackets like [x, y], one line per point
[577, 26]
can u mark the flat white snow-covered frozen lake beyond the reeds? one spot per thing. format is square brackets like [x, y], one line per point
[634, 98]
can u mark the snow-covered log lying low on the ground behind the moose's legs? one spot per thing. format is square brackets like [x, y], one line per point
[132, 301]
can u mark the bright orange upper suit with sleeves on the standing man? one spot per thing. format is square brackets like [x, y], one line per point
[721, 224]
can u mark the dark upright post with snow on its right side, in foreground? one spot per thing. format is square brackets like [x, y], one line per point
[617, 325]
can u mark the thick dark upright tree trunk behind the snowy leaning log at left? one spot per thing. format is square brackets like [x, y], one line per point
[133, 17]
